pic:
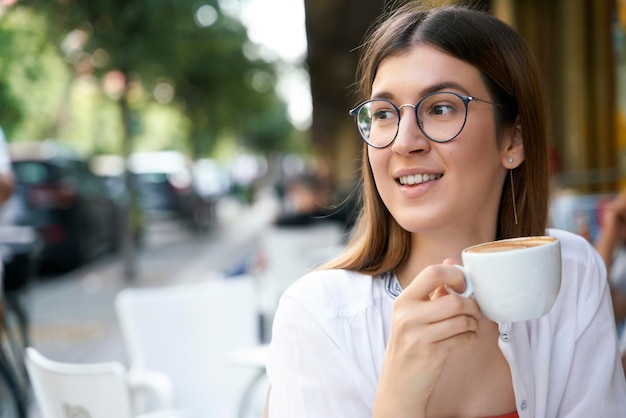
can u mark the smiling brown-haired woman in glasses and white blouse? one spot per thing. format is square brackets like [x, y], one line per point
[455, 154]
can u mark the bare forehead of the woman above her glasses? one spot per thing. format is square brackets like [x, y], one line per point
[422, 70]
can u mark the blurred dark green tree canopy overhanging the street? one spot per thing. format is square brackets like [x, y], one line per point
[186, 44]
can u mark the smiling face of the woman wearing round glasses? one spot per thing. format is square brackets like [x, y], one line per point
[465, 175]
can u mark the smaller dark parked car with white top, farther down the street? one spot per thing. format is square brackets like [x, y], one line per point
[164, 181]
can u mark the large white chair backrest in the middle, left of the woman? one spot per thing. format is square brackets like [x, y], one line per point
[188, 332]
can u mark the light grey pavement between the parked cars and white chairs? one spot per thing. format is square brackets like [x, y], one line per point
[72, 316]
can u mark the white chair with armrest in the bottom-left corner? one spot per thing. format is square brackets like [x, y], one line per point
[93, 390]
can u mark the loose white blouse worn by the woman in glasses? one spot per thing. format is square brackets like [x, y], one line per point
[332, 326]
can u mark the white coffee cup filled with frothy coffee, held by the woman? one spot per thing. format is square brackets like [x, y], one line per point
[516, 279]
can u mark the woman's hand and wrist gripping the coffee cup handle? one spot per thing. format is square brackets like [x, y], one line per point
[428, 324]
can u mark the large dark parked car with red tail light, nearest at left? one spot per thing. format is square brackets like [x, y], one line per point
[70, 207]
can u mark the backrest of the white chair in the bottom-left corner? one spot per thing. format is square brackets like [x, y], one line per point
[69, 390]
